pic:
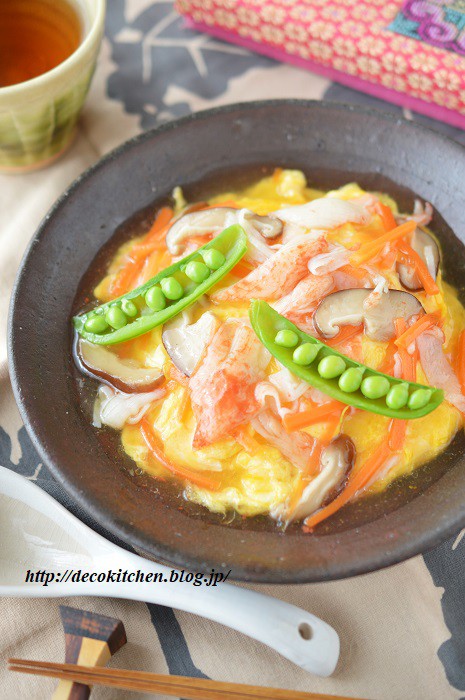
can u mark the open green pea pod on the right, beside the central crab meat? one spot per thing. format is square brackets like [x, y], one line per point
[338, 375]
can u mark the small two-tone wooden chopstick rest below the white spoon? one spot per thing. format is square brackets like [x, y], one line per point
[90, 640]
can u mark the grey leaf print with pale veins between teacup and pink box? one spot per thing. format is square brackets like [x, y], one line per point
[158, 57]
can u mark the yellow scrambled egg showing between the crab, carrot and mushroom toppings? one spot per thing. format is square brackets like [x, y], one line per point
[254, 477]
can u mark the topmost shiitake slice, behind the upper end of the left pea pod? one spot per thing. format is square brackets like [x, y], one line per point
[197, 223]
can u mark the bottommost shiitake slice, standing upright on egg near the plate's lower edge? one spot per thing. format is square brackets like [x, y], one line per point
[336, 461]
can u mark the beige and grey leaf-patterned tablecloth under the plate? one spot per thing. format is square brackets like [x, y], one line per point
[403, 629]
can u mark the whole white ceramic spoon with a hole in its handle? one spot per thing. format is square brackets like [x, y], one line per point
[37, 533]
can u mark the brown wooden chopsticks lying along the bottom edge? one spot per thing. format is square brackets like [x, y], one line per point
[189, 688]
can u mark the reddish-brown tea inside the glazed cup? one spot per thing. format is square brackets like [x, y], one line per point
[35, 36]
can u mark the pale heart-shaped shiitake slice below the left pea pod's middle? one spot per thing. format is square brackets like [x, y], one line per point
[186, 343]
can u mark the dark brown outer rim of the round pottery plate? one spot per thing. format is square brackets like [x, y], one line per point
[120, 527]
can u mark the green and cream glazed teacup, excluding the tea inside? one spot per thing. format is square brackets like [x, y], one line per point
[38, 117]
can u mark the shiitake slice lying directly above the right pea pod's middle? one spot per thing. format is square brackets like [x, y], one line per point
[347, 307]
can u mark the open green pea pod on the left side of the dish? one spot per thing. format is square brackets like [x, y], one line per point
[164, 296]
